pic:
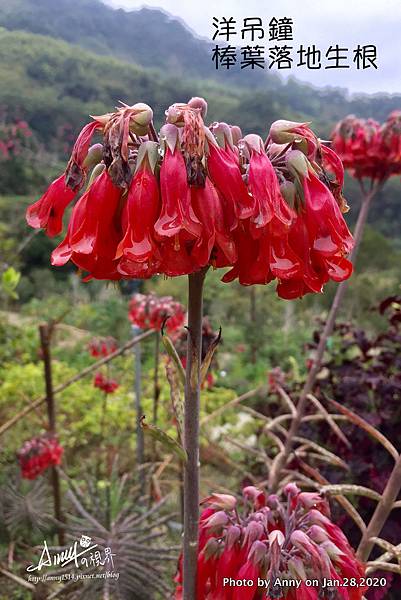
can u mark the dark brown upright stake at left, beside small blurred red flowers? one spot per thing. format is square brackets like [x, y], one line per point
[45, 331]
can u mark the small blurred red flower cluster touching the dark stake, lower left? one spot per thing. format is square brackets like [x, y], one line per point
[37, 454]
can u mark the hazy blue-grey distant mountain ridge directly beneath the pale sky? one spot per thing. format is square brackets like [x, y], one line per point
[155, 40]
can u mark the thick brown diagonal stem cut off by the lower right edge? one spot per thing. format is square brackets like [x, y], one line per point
[383, 509]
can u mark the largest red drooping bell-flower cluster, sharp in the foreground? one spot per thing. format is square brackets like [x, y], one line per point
[197, 196]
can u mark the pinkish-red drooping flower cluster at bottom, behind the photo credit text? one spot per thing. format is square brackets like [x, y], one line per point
[279, 541]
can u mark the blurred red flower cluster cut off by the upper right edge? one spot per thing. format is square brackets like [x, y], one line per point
[368, 148]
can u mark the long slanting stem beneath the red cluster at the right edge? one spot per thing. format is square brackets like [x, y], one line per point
[282, 458]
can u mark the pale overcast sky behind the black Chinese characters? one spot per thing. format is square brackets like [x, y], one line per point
[321, 22]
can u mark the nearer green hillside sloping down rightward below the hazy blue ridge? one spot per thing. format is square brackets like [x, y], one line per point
[52, 82]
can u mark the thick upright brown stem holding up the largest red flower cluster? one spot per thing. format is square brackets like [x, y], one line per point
[191, 432]
